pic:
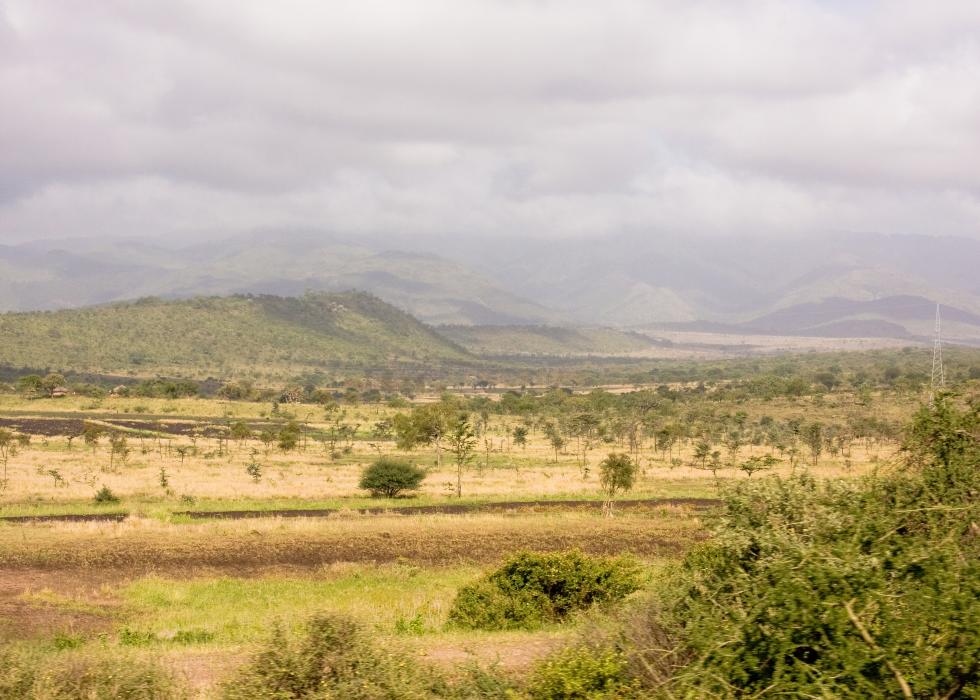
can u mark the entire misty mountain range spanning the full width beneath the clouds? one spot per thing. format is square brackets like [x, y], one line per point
[847, 285]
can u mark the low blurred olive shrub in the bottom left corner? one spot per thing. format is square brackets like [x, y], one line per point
[71, 676]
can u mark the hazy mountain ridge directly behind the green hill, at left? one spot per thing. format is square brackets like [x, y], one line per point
[437, 290]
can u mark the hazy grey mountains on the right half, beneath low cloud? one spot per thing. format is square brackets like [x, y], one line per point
[636, 279]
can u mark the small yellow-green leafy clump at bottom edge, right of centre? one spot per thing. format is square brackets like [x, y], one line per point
[583, 673]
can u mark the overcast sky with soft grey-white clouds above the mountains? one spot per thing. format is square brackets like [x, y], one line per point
[522, 117]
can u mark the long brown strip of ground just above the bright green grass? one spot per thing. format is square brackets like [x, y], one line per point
[427, 540]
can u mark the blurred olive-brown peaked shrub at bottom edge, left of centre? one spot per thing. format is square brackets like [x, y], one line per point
[333, 660]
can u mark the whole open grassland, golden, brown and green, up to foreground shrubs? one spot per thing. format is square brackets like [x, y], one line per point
[199, 594]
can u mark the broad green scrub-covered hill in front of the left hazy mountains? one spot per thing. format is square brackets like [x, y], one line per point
[238, 336]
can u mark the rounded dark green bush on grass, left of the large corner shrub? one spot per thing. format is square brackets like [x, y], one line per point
[534, 589]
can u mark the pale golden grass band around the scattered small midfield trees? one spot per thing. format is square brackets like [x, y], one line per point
[48, 473]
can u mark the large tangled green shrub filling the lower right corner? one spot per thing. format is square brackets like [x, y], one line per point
[841, 589]
